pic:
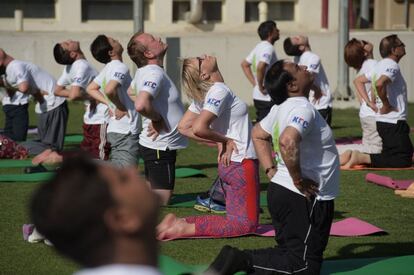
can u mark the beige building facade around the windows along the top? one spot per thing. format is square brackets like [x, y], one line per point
[307, 16]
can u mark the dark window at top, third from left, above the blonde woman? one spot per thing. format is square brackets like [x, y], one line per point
[212, 10]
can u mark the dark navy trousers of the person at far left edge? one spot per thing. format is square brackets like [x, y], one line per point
[16, 121]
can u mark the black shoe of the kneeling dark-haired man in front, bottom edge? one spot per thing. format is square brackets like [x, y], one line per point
[229, 261]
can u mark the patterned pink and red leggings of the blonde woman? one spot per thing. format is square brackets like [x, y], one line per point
[242, 202]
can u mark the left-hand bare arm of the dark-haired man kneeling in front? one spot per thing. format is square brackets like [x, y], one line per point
[263, 146]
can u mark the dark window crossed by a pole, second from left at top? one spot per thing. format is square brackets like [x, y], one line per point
[110, 10]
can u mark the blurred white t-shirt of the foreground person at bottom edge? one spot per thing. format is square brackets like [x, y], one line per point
[119, 269]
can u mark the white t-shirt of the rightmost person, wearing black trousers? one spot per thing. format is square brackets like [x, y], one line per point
[396, 90]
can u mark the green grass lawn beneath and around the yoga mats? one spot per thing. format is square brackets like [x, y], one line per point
[371, 203]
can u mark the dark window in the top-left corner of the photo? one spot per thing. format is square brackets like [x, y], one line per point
[30, 8]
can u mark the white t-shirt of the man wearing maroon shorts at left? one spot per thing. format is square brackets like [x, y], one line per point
[81, 73]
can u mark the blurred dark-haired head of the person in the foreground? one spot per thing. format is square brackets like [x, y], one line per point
[97, 214]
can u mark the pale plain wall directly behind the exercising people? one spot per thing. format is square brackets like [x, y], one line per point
[230, 50]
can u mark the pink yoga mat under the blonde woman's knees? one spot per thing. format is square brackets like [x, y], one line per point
[349, 227]
